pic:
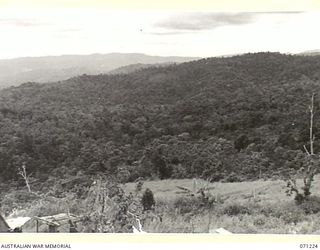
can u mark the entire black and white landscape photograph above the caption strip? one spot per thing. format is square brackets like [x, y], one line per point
[159, 121]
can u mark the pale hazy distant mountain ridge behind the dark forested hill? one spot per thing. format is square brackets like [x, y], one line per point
[56, 68]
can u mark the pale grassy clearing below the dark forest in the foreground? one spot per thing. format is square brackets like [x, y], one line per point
[271, 211]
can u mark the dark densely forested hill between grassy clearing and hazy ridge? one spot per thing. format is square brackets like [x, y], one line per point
[228, 119]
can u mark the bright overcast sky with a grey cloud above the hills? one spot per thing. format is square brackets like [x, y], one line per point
[204, 34]
